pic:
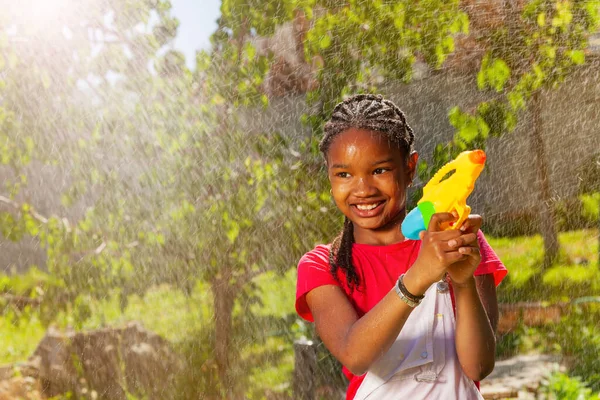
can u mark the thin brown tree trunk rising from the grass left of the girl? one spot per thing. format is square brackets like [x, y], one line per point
[224, 299]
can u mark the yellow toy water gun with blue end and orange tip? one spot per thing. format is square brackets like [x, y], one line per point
[445, 193]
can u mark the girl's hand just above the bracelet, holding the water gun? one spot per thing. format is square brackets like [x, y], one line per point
[439, 250]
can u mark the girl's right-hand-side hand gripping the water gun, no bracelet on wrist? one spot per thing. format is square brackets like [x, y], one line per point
[468, 246]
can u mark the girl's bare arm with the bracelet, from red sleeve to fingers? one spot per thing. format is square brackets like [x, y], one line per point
[358, 342]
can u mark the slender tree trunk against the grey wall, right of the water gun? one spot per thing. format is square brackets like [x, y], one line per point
[547, 215]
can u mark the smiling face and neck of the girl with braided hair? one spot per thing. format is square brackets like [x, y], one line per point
[368, 180]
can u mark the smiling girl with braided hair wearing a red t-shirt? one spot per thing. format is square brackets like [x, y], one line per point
[407, 319]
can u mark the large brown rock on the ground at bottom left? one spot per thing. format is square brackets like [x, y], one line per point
[110, 361]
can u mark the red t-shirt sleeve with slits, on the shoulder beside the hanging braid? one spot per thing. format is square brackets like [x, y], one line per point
[313, 271]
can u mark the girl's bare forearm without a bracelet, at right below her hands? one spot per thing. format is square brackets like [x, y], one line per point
[475, 338]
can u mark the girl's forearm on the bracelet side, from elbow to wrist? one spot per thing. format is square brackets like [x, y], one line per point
[381, 325]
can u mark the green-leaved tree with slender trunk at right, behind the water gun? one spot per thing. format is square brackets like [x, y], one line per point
[550, 38]
